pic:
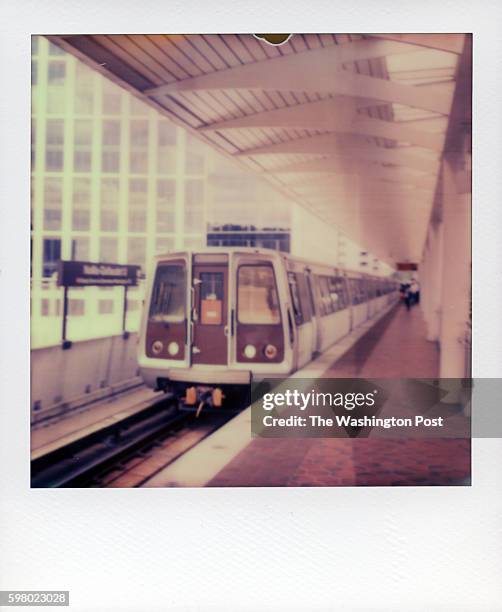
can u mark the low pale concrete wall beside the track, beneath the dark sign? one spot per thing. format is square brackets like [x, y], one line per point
[62, 380]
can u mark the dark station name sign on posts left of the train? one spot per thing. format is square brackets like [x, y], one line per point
[86, 274]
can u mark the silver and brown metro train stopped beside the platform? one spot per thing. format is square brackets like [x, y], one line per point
[217, 318]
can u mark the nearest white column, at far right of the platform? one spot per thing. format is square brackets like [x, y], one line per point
[455, 294]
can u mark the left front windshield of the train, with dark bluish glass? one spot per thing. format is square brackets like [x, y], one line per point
[169, 294]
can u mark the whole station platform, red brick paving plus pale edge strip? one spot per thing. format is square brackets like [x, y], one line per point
[392, 347]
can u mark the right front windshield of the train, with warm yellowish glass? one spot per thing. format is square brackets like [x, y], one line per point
[257, 299]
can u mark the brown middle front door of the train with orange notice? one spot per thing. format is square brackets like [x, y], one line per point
[210, 311]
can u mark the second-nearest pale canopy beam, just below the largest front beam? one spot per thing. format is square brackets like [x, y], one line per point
[335, 115]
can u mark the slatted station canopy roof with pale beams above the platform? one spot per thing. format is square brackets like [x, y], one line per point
[353, 127]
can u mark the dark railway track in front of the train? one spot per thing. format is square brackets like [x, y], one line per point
[104, 457]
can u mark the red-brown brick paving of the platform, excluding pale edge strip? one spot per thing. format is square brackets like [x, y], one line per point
[395, 347]
